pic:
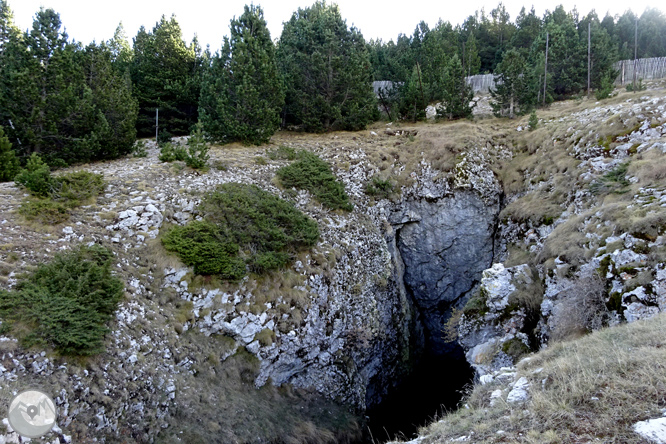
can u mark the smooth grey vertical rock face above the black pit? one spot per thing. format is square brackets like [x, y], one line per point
[445, 245]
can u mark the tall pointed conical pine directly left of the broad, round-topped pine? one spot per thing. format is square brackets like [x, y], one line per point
[241, 95]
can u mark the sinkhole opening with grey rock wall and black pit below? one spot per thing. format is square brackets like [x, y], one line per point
[442, 248]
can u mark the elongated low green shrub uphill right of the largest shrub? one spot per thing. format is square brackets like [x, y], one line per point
[314, 175]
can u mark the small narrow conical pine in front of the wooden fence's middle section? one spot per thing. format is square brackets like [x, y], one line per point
[457, 93]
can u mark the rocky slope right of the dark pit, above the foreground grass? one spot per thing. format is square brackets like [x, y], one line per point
[592, 266]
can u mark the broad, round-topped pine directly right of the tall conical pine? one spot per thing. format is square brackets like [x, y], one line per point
[326, 70]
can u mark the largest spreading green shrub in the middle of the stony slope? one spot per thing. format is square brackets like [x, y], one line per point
[243, 227]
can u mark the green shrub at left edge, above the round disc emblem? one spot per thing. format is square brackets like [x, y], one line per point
[65, 303]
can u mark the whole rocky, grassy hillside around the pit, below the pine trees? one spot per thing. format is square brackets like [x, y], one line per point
[297, 355]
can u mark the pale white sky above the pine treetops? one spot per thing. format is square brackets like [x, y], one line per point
[87, 20]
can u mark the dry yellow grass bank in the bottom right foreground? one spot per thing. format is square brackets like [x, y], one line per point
[590, 389]
